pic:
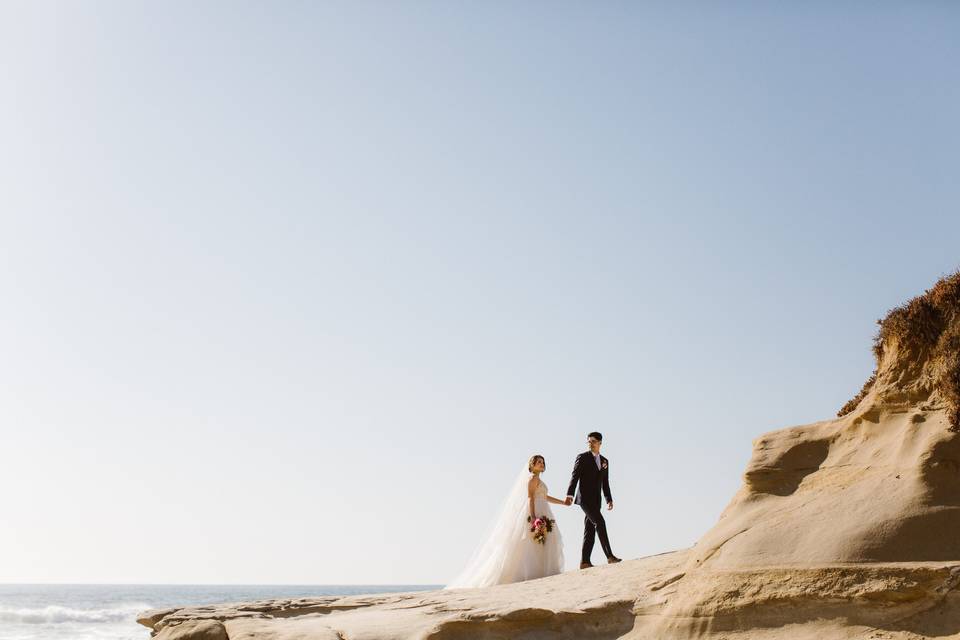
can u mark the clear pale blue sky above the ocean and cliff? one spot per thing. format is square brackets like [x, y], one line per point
[291, 290]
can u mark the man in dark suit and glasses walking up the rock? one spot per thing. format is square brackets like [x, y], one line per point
[592, 471]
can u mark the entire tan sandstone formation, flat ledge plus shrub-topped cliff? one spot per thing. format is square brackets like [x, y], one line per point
[845, 528]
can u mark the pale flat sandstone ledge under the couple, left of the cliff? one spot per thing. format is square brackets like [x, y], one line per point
[600, 603]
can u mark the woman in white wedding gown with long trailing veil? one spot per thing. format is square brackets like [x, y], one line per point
[510, 553]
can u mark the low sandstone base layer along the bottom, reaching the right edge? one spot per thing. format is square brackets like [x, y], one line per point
[647, 599]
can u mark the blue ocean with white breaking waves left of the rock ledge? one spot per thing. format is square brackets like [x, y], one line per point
[108, 612]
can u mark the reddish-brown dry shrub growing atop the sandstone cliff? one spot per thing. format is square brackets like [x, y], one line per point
[928, 327]
